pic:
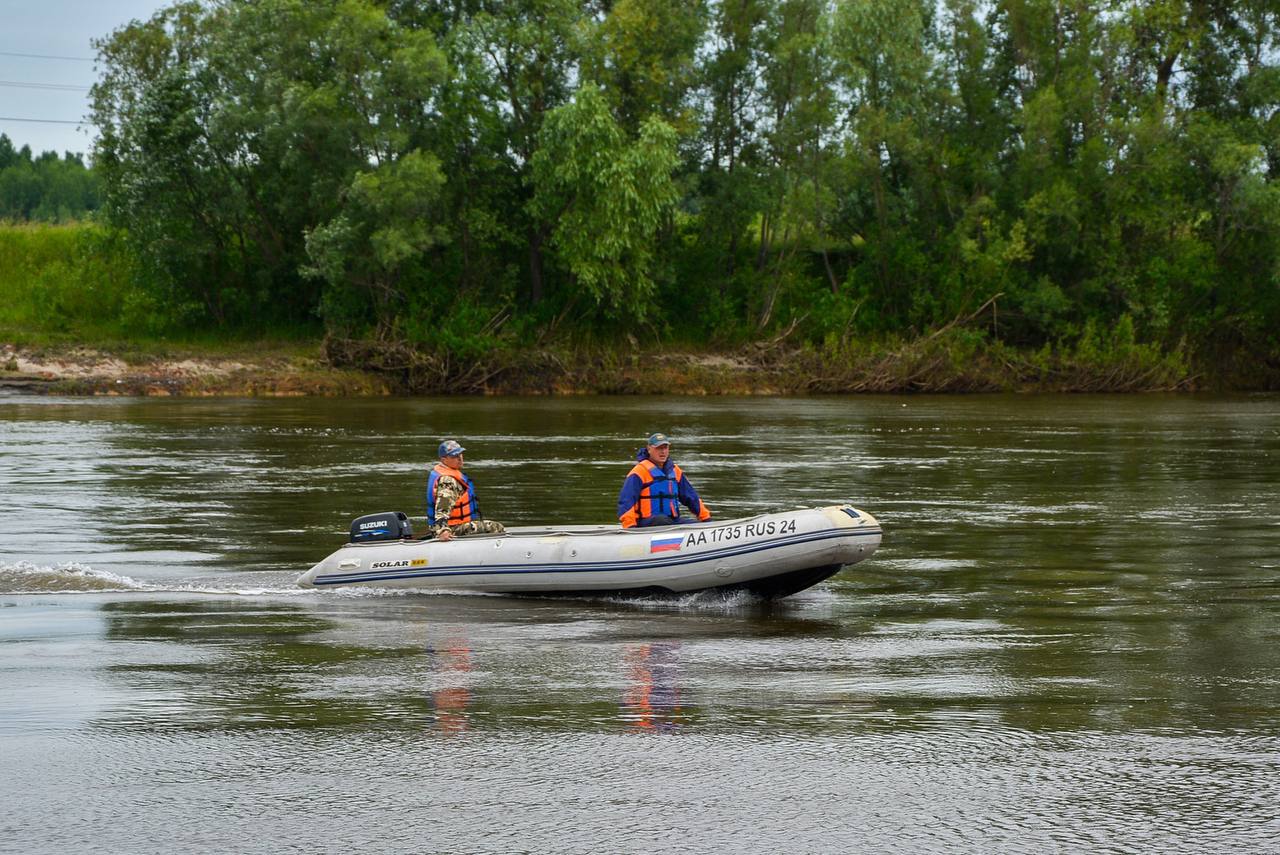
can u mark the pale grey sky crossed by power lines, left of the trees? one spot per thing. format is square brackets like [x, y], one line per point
[56, 29]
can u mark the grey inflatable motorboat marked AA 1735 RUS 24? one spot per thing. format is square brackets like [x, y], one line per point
[771, 556]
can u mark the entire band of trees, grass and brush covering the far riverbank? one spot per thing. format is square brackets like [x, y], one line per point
[801, 198]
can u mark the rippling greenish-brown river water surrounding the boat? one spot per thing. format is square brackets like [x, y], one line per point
[1068, 642]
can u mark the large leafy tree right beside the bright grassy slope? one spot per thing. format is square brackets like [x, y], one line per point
[231, 132]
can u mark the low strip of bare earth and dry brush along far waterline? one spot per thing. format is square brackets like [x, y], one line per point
[922, 367]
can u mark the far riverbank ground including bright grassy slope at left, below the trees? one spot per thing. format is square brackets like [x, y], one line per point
[75, 323]
